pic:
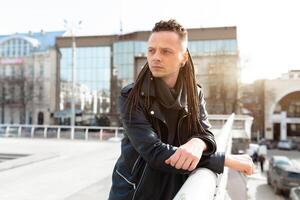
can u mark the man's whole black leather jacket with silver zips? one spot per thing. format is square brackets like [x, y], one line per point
[140, 171]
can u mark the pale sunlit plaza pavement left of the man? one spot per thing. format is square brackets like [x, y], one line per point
[57, 169]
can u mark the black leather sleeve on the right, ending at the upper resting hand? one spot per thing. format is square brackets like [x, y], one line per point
[208, 136]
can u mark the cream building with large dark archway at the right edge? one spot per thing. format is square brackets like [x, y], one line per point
[282, 107]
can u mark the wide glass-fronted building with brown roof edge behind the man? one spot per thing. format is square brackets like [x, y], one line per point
[107, 63]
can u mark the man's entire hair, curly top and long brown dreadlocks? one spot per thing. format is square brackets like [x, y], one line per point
[188, 72]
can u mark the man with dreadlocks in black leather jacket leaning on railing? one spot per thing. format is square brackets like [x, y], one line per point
[167, 133]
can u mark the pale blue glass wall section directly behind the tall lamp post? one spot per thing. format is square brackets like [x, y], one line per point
[92, 79]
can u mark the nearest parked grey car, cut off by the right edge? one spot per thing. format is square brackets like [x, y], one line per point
[282, 174]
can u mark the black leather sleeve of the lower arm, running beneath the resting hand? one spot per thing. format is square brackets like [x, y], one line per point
[147, 143]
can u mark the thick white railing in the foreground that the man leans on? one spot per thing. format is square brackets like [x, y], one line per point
[203, 183]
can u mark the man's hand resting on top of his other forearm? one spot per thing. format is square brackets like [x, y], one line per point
[188, 155]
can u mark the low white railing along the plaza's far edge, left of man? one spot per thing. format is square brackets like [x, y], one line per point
[61, 132]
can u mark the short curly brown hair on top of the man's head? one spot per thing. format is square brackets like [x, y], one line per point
[173, 26]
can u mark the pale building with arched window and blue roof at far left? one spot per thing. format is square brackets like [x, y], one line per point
[28, 78]
